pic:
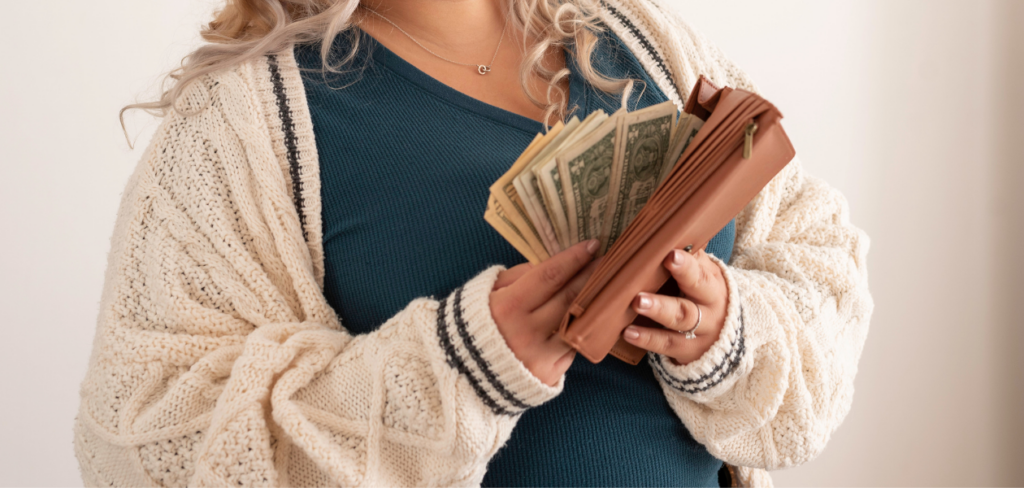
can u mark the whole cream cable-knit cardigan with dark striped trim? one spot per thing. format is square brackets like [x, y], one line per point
[219, 363]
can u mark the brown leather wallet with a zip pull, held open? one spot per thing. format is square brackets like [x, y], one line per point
[740, 150]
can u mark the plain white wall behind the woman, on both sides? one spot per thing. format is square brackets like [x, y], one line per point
[911, 108]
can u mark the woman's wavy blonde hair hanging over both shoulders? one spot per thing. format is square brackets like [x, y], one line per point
[244, 30]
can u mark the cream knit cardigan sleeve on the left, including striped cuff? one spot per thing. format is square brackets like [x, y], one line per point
[218, 362]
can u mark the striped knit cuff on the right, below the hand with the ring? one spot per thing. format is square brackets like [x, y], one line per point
[712, 375]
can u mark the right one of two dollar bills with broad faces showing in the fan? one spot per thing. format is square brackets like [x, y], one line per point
[645, 139]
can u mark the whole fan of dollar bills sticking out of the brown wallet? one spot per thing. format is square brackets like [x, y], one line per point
[587, 180]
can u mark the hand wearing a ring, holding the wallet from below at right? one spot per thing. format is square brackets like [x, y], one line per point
[703, 284]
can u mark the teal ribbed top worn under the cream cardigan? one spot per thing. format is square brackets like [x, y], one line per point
[406, 166]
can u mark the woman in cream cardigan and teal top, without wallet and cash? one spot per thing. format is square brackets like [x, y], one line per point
[323, 167]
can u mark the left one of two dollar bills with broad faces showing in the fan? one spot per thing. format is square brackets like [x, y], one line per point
[586, 174]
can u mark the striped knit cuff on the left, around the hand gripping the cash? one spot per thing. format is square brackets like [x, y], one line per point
[478, 350]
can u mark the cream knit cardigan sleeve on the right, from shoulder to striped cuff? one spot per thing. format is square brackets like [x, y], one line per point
[779, 382]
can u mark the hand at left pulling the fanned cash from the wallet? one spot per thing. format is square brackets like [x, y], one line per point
[529, 303]
